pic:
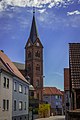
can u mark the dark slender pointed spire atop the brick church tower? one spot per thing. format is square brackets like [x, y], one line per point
[33, 33]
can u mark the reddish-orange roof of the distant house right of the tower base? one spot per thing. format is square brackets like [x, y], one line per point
[51, 91]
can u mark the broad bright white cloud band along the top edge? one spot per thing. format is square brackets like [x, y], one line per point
[31, 3]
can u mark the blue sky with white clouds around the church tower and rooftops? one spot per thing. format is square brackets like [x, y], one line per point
[58, 24]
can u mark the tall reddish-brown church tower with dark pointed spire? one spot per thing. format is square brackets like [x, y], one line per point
[34, 60]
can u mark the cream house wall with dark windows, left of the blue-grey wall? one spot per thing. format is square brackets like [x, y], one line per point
[5, 96]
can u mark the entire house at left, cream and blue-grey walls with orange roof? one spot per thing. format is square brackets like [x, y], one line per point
[14, 91]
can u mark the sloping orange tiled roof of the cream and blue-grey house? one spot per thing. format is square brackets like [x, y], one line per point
[10, 66]
